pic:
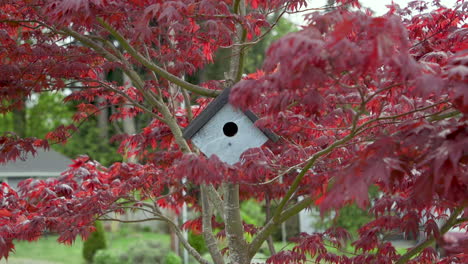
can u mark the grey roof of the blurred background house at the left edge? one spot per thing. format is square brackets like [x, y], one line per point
[43, 164]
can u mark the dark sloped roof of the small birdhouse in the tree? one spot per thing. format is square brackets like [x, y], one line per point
[212, 109]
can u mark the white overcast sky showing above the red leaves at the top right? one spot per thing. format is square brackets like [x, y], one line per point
[378, 6]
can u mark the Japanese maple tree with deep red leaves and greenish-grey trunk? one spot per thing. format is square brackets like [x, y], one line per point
[357, 100]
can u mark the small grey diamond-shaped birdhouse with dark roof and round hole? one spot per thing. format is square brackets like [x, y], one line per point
[225, 131]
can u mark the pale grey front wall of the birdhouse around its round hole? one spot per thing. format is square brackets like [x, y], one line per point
[215, 137]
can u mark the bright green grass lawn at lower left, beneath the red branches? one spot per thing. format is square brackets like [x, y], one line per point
[48, 249]
